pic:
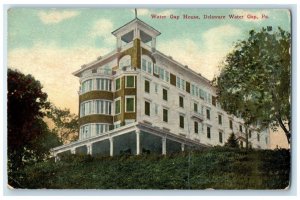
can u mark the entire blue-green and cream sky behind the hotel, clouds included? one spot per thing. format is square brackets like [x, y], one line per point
[53, 43]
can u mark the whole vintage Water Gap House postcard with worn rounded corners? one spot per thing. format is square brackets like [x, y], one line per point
[149, 98]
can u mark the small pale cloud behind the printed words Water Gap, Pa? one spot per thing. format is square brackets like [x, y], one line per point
[249, 15]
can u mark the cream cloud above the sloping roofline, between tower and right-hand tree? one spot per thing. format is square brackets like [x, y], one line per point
[204, 58]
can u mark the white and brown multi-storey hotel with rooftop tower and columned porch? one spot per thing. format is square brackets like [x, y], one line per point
[137, 99]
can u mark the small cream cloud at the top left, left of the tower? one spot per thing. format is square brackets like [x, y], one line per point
[54, 17]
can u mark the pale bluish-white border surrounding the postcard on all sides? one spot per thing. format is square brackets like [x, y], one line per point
[209, 3]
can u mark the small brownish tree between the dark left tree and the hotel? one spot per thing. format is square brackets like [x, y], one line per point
[65, 124]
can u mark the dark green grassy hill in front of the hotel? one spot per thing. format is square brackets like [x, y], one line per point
[218, 168]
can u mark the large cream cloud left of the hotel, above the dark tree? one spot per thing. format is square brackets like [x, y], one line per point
[53, 67]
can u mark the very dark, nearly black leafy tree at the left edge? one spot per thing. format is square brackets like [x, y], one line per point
[29, 138]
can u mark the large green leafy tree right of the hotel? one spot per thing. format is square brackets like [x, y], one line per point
[254, 82]
